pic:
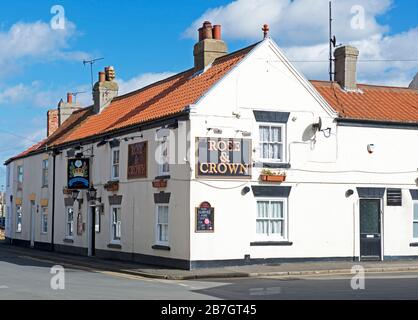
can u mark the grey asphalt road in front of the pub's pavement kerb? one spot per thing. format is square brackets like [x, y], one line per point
[24, 277]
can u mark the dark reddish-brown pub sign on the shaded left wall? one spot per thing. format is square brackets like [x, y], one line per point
[137, 160]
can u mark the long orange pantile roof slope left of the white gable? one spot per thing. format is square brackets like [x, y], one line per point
[159, 100]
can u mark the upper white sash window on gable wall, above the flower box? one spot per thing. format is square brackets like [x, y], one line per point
[272, 143]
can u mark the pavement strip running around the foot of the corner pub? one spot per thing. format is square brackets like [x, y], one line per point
[250, 271]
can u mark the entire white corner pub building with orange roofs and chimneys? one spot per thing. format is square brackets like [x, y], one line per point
[238, 160]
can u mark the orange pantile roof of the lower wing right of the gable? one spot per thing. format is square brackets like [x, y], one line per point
[378, 103]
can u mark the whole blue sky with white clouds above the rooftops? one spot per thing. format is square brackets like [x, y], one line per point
[148, 40]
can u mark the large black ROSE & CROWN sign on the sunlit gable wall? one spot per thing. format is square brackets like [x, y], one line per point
[223, 157]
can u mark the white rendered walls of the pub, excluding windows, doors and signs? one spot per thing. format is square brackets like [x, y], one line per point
[322, 221]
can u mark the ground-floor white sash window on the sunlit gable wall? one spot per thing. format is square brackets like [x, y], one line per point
[271, 219]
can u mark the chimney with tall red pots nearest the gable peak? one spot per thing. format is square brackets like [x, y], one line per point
[209, 47]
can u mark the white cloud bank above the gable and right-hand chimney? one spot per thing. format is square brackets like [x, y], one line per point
[300, 27]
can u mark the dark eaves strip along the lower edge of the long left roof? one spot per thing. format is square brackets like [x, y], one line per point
[181, 116]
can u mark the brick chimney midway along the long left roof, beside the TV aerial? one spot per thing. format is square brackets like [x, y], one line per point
[105, 89]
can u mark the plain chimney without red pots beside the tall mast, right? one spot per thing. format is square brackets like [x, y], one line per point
[346, 67]
